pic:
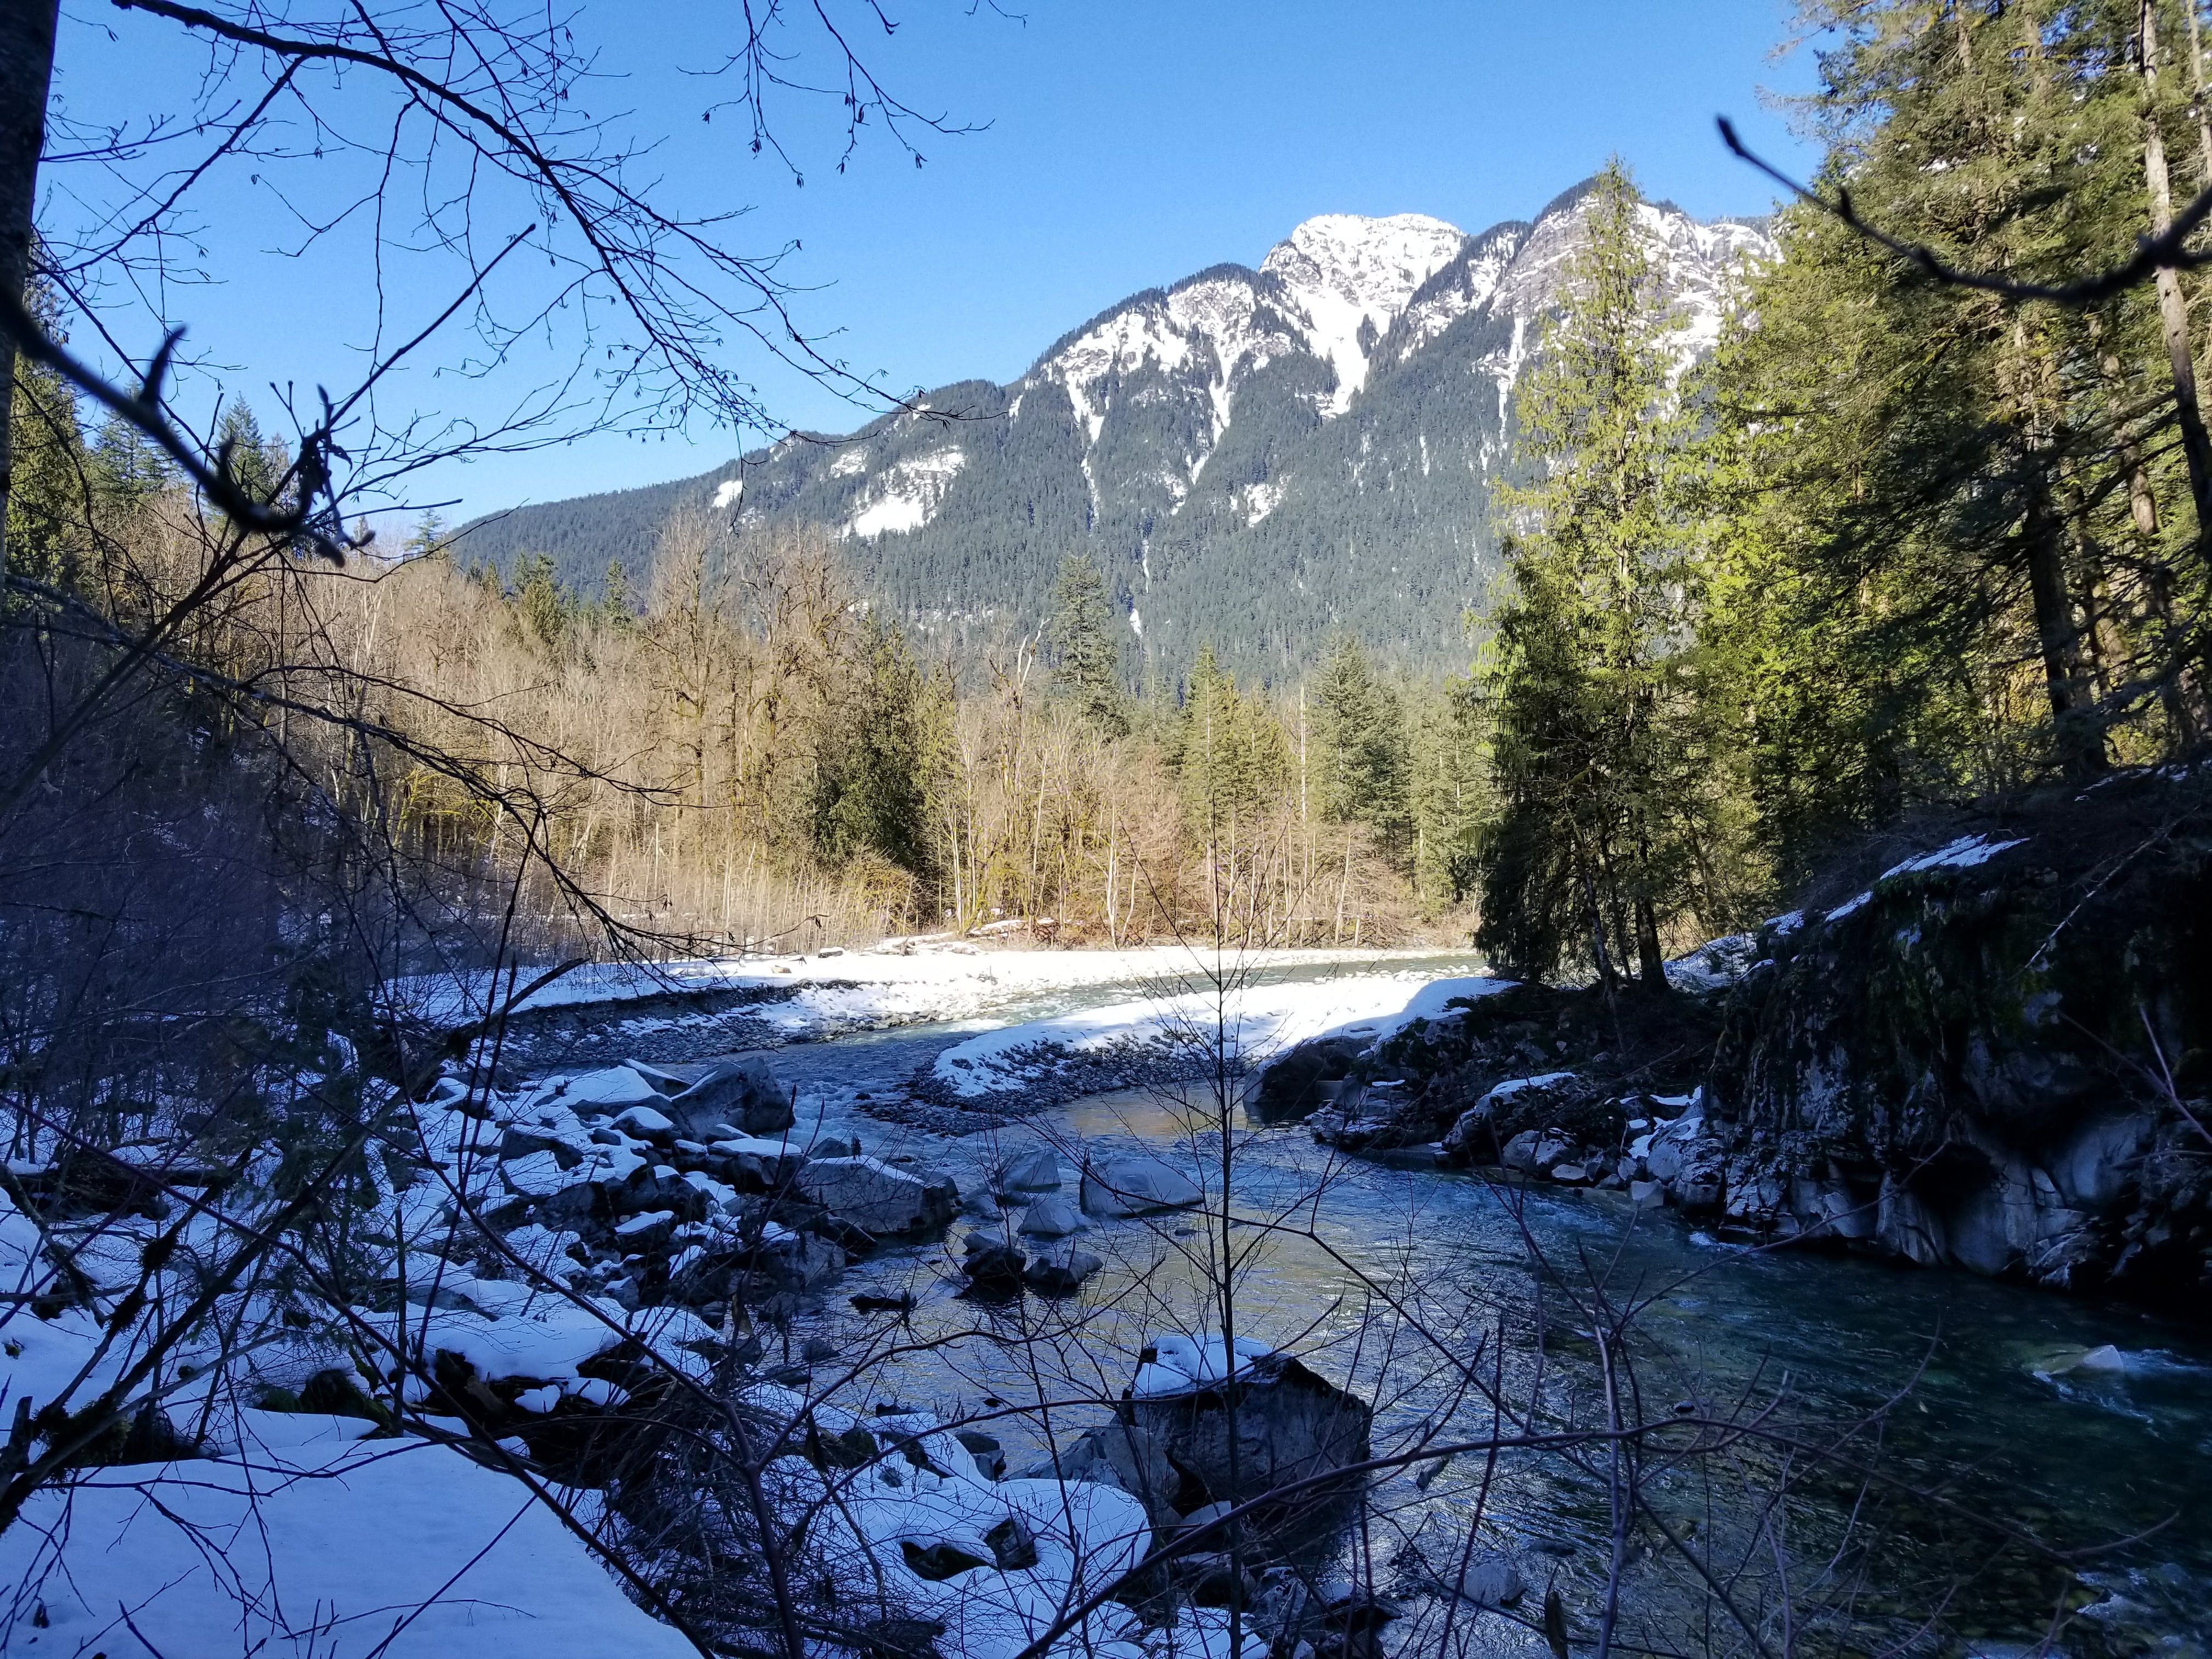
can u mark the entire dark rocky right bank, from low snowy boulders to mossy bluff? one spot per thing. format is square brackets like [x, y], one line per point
[1994, 1056]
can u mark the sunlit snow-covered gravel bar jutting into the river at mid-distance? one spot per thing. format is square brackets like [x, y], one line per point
[1251, 1023]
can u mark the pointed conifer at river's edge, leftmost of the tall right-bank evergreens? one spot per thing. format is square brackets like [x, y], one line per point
[1594, 751]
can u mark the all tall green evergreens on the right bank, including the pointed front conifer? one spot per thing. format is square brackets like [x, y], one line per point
[1903, 541]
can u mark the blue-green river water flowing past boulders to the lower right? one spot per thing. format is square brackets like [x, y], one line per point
[1996, 1410]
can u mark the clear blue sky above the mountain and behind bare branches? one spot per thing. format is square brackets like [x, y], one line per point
[1129, 143]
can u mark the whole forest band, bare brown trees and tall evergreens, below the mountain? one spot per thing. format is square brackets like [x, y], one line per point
[1895, 543]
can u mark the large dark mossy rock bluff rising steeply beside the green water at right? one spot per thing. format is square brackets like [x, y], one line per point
[1996, 1054]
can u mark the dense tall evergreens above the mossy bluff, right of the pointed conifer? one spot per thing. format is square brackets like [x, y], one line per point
[1954, 534]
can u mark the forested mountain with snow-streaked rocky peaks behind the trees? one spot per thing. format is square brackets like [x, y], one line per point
[1255, 457]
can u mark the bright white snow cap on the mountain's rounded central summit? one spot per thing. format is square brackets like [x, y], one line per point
[1350, 278]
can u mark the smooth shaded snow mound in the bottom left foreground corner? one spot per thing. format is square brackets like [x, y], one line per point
[311, 1543]
